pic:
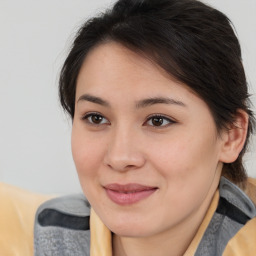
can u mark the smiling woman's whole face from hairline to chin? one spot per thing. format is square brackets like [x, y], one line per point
[145, 147]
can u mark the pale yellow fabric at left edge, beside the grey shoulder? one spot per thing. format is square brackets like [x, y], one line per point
[17, 214]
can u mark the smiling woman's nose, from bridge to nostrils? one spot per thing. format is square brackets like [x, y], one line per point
[124, 152]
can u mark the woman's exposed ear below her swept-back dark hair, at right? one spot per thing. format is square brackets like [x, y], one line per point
[234, 138]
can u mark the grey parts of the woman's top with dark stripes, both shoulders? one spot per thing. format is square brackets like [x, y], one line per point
[62, 224]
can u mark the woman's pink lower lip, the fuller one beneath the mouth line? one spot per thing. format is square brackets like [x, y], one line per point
[129, 198]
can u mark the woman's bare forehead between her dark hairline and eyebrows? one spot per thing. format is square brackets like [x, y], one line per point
[114, 66]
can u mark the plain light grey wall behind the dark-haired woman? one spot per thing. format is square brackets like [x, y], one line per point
[35, 36]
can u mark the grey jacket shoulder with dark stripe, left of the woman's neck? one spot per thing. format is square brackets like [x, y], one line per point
[62, 227]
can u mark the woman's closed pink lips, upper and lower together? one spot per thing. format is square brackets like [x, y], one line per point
[128, 193]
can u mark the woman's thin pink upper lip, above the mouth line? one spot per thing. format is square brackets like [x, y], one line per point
[131, 187]
